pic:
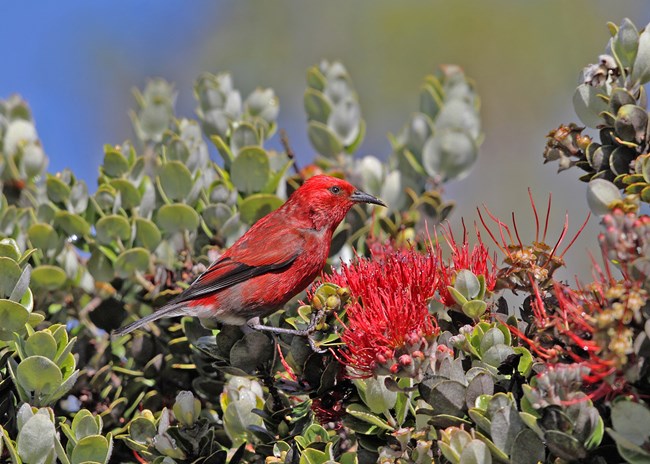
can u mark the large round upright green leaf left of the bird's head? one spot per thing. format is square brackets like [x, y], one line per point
[250, 171]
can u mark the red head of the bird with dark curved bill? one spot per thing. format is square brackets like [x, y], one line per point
[328, 199]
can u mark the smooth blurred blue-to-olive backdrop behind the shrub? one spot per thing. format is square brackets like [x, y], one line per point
[76, 62]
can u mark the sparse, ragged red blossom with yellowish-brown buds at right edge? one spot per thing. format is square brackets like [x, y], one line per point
[588, 327]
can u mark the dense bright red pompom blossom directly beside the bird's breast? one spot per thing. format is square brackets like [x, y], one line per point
[389, 327]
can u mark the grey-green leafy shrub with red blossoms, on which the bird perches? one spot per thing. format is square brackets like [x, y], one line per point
[417, 356]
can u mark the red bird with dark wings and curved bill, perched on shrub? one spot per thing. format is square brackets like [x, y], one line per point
[278, 257]
